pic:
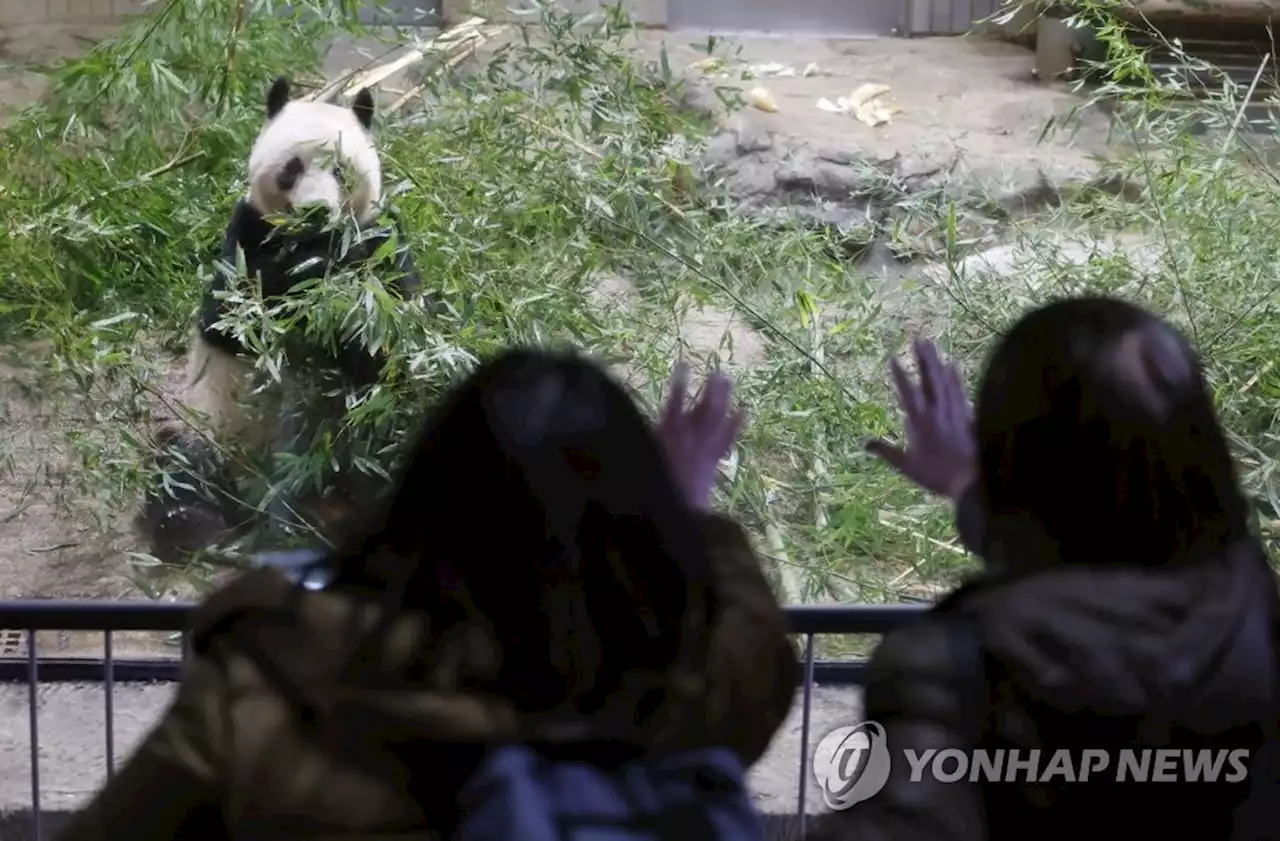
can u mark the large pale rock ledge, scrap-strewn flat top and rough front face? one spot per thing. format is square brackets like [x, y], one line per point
[970, 130]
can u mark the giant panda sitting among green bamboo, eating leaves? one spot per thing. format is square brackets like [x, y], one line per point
[307, 156]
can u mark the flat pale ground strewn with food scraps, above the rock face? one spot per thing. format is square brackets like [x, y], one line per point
[970, 104]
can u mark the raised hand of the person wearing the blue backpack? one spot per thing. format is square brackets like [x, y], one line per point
[697, 440]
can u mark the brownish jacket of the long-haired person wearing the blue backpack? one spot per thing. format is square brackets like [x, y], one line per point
[268, 739]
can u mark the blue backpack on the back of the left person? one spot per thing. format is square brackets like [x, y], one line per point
[519, 792]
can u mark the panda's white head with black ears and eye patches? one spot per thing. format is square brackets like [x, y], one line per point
[316, 154]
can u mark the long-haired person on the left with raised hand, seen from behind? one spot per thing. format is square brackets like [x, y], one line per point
[541, 577]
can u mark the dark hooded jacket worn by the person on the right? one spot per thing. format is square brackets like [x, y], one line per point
[1077, 659]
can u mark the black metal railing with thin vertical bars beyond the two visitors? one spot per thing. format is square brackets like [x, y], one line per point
[112, 618]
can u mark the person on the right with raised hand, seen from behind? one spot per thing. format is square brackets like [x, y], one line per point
[1123, 602]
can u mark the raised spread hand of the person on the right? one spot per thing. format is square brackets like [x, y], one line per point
[941, 450]
